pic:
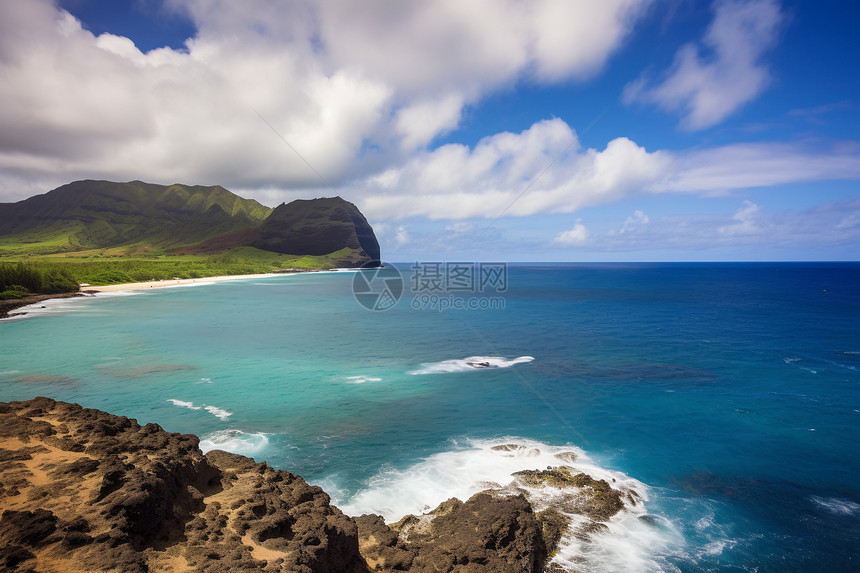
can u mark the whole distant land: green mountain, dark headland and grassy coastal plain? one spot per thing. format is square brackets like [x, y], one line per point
[101, 233]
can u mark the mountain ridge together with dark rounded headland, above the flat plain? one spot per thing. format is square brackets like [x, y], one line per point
[137, 217]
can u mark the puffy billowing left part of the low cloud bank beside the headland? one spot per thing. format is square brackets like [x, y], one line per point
[541, 169]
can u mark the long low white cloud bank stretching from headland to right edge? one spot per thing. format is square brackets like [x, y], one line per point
[545, 170]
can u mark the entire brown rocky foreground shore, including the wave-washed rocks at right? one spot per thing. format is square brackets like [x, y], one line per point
[82, 490]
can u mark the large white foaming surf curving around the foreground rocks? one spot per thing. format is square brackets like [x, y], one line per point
[633, 540]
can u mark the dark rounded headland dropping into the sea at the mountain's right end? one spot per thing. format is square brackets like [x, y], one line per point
[318, 227]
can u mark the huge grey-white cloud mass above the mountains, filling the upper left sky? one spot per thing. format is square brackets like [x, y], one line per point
[354, 88]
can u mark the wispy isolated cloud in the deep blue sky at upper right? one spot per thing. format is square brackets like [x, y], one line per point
[706, 90]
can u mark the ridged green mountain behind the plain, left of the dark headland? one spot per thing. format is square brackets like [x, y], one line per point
[102, 214]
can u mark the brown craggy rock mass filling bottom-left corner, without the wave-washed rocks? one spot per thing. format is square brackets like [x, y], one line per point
[81, 490]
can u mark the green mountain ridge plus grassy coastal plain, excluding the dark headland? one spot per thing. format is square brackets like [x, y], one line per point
[110, 233]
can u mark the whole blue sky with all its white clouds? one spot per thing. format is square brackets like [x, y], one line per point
[465, 130]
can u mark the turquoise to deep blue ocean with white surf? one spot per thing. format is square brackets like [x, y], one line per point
[726, 395]
